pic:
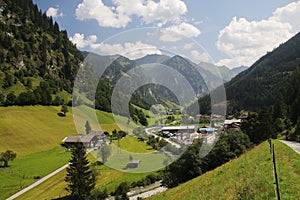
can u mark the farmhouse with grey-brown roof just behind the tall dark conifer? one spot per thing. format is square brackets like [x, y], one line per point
[92, 139]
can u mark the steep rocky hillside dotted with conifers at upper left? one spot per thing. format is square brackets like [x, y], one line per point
[37, 60]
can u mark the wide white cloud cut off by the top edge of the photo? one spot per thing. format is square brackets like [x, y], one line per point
[122, 11]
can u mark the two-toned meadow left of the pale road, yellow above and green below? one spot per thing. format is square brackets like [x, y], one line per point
[35, 132]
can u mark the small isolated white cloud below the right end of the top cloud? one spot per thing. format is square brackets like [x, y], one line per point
[176, 32]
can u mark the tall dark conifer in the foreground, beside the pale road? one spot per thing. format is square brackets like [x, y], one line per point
[80, 179]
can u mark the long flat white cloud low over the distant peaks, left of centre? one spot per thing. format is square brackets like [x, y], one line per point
[132, 50]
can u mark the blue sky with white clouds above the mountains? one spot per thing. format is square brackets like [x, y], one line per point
[233, 32]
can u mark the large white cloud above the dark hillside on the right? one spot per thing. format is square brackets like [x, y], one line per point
[246, 41]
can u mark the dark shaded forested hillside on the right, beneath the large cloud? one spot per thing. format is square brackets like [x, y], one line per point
[259, 85]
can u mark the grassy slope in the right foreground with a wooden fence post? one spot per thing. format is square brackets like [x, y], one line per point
[248, 177]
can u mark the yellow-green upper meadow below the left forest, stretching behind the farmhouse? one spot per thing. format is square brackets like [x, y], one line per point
[31, 129]
